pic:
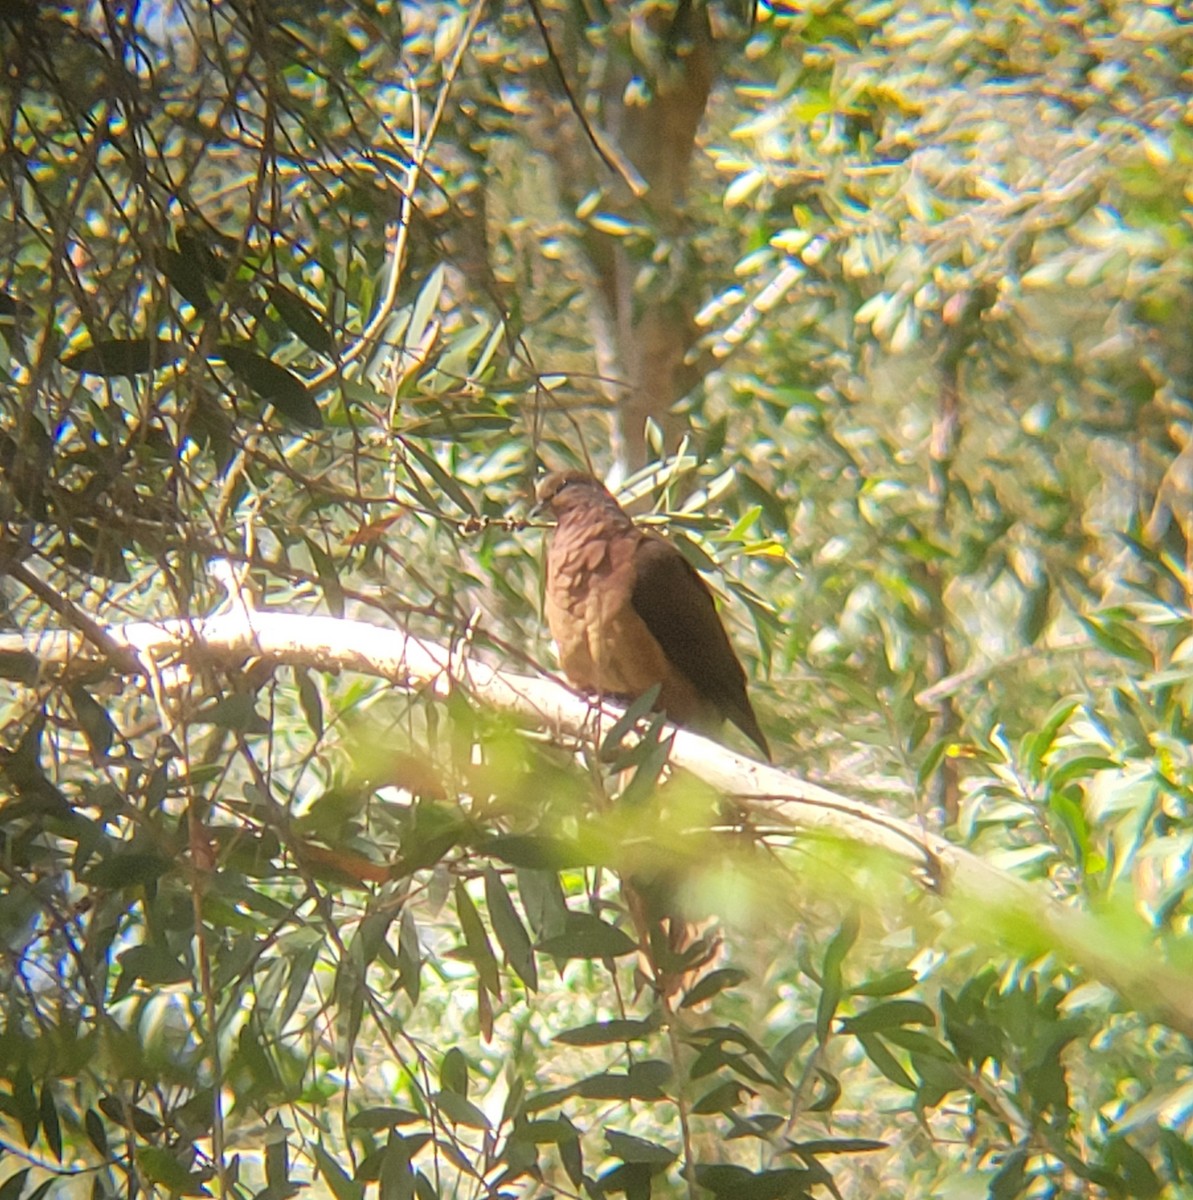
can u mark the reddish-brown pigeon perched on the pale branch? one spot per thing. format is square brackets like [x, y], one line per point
[628, 611]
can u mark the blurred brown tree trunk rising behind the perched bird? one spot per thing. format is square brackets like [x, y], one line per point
[657, 76]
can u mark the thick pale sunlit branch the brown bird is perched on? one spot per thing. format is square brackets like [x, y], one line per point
[1120, 949]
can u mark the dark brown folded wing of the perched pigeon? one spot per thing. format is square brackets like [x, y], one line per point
[678, 608]
